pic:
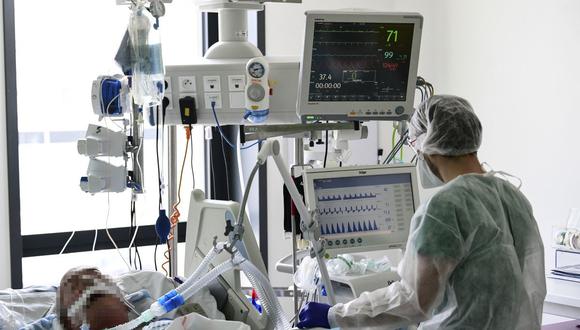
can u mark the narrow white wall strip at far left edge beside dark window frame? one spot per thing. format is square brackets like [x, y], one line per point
[4, 224]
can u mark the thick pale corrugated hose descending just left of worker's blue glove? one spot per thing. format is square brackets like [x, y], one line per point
[266, 294]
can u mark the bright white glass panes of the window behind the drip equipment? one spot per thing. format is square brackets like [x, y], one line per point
[61, 47]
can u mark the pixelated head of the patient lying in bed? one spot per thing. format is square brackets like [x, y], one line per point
[87, 296]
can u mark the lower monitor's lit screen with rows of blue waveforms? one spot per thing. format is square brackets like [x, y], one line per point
[364, 204]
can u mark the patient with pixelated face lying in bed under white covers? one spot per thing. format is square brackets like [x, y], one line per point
[89, 299]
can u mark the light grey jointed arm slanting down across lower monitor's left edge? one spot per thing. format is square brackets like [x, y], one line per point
[309, 227]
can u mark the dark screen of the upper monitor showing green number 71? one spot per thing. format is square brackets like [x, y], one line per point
[361, 61]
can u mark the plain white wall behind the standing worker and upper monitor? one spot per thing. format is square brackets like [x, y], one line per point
[517, 63]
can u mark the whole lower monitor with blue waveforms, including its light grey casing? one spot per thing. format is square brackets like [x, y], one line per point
[363, 208]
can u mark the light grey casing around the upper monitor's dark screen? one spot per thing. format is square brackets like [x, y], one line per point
[356, 110]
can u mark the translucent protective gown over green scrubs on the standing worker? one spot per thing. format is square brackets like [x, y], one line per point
[474, 260]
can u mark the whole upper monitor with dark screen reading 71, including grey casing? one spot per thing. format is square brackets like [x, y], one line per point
[359, 66]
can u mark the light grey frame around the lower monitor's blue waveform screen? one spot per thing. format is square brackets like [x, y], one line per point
[378, 240]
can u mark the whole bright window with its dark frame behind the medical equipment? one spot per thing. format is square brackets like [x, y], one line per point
[51, 61]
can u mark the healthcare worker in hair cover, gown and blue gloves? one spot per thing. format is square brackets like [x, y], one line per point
[474, 258]
